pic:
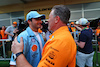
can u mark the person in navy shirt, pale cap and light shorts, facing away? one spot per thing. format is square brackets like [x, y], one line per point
[85, 50]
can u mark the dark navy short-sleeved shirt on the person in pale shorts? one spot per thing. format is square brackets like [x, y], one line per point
[86, 36]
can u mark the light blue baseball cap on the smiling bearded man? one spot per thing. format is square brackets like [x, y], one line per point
[34, 14]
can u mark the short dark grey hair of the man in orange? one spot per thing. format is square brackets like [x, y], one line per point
[63, 12]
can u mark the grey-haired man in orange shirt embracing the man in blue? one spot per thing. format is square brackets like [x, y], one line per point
[60, 49]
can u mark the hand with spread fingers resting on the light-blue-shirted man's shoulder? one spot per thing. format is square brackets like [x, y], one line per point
[16, 46]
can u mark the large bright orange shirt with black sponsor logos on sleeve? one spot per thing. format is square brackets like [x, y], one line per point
[59, 50]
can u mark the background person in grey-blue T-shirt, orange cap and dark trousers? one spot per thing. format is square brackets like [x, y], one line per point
[10, 30]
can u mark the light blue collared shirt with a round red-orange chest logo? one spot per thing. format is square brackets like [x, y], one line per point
[32, 47]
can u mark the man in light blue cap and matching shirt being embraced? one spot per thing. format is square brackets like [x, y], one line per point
[33, 41]
